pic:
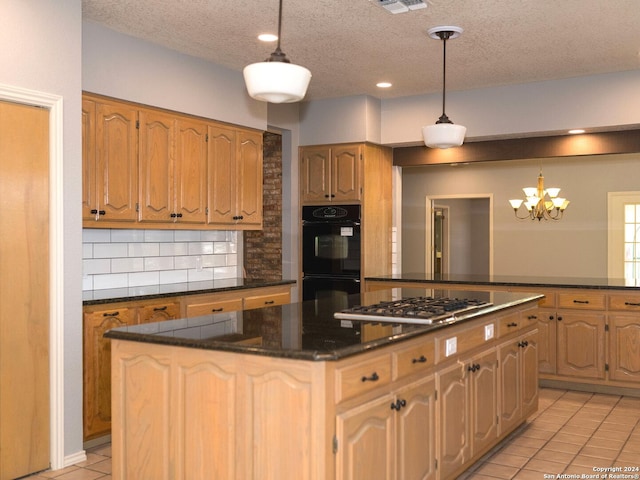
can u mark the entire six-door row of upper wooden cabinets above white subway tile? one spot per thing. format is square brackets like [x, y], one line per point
[160, 169]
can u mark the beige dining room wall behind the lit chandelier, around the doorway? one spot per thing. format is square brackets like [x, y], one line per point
[575, 246]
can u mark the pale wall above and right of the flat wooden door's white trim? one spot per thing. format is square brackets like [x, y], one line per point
[40, 44]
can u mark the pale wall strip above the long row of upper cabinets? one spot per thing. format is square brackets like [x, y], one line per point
[124, 67]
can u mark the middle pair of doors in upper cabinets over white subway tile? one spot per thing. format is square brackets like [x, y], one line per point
[173, 168]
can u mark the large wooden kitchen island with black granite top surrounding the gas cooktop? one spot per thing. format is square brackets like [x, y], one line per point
[292, 392]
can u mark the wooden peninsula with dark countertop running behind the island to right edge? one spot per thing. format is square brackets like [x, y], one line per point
[588, 328]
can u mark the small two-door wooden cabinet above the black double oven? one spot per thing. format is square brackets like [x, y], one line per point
[331, 173]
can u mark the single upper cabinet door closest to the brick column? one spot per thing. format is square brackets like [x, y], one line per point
[249, 178]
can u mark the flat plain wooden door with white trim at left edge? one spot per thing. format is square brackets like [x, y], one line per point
[24, 290]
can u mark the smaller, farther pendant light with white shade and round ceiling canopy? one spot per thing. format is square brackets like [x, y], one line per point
[444, 134]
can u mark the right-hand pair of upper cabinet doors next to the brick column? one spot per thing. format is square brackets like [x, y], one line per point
[235, 177]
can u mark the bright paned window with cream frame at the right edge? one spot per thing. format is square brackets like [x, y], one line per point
[624, 236]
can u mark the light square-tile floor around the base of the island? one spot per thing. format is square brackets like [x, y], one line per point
[570, 435]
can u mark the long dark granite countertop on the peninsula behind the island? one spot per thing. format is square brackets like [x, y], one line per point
[519, 280]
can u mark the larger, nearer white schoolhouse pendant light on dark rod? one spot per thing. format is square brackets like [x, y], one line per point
[277, 80]
